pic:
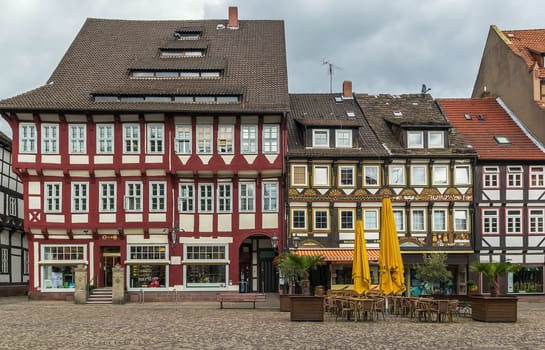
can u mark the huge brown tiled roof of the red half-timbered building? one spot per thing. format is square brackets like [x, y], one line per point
[98, 61]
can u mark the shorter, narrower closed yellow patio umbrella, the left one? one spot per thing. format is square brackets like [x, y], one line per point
[360, 263]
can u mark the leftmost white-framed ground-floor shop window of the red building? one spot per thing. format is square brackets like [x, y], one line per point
[58, 264]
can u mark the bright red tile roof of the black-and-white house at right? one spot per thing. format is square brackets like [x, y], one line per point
[480, 133]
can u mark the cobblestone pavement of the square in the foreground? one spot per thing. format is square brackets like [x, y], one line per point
[202, 325]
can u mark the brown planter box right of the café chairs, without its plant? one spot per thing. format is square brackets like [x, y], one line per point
[494, 309]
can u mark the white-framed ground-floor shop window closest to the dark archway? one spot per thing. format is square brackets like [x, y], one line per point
[206, 265]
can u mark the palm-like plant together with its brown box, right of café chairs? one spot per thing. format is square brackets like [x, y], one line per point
[495, 307]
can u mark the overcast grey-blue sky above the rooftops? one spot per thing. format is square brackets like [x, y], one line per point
[381, 46]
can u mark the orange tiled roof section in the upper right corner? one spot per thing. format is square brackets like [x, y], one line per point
[526, 44]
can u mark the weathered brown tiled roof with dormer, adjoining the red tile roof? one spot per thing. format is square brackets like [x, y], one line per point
[417, 112]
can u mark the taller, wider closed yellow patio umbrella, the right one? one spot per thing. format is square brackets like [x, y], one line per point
[392, 280]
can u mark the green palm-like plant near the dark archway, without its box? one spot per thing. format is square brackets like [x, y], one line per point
[295, 269]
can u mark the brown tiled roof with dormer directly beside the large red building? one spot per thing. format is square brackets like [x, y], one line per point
[323, 110]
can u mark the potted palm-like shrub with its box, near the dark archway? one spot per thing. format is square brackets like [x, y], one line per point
[295, 269]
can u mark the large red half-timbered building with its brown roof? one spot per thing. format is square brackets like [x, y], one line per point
[166, 158]
